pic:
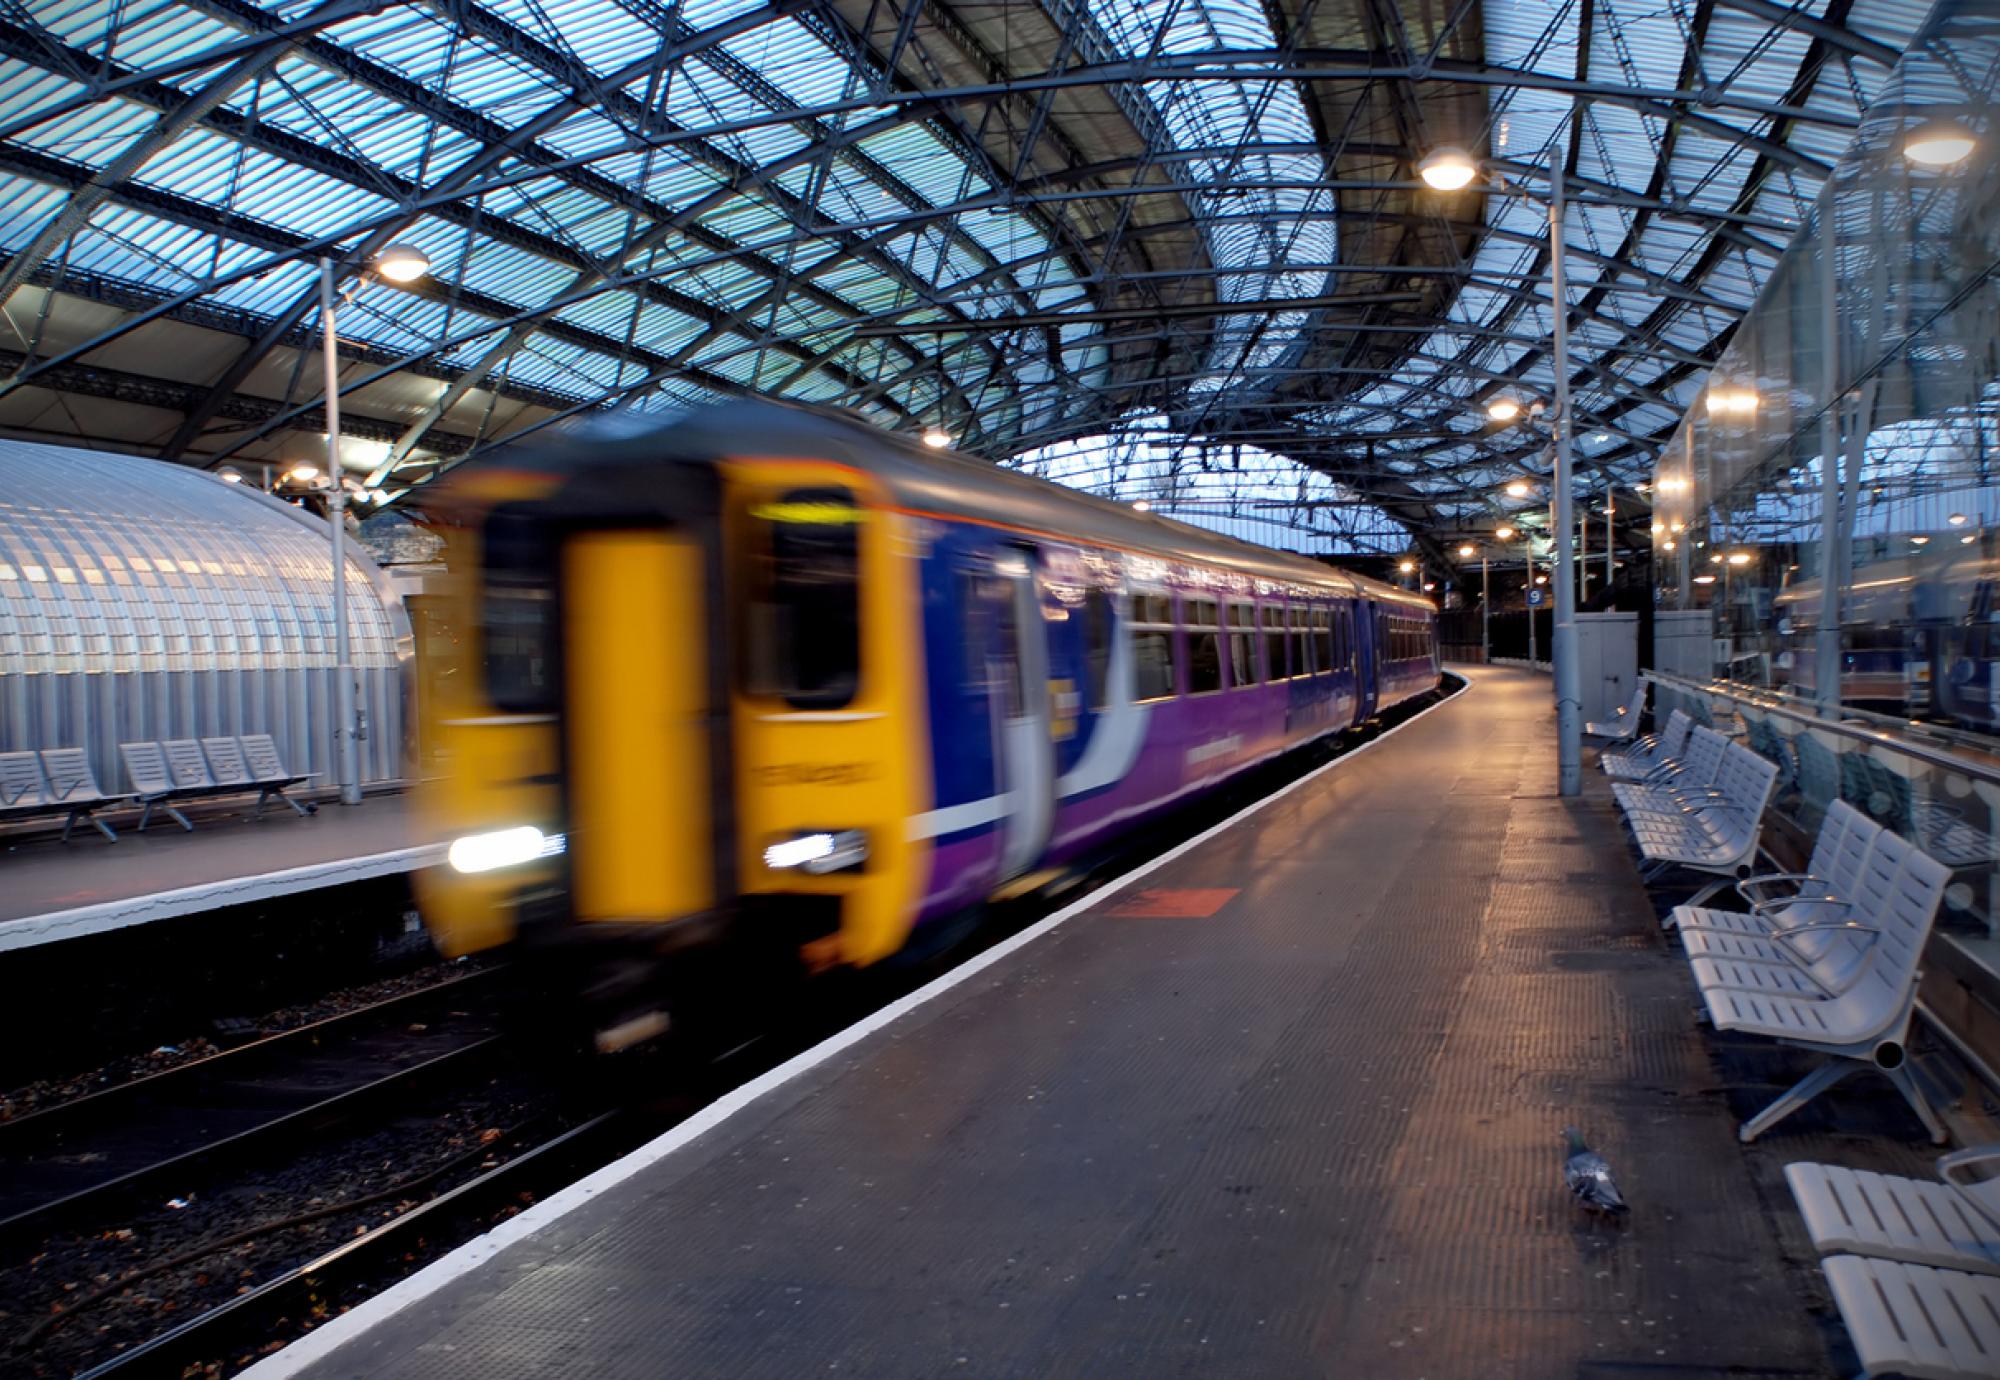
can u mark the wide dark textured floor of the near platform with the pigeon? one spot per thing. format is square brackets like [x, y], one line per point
[1291, 1107]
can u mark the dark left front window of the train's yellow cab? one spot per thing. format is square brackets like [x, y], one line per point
[519, 615]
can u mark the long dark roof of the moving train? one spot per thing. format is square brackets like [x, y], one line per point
[929, 481]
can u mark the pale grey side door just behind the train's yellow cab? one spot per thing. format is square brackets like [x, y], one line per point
[1027, 757]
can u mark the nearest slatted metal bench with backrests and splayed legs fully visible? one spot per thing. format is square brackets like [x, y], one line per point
[1841, 983]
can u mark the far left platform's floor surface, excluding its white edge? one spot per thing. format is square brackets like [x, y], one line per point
[43, 875]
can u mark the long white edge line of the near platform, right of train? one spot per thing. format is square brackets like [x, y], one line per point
[337, 1333]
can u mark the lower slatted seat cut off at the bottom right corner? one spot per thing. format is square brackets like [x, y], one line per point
[1915, 1321]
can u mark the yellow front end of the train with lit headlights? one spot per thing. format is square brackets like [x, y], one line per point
[675, 721]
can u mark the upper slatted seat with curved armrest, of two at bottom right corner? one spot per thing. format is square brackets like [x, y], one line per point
[1951, 1223]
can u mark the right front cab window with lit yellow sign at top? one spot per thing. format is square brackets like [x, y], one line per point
[805, 629]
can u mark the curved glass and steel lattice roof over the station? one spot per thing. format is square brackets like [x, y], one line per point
[1023, 223]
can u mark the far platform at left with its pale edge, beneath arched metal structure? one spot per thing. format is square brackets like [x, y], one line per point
[55, 891]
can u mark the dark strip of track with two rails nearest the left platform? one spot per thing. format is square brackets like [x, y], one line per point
[81, 1159]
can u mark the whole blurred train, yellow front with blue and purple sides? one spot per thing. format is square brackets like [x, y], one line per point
[771, 673]
